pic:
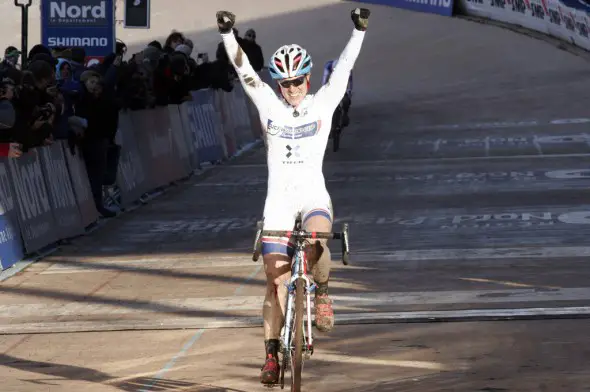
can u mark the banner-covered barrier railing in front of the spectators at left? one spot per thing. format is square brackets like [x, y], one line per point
[45, 195]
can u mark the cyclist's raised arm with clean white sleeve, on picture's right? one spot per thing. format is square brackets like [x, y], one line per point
[333, 91]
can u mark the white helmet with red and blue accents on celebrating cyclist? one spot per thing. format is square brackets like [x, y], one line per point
[289, 61]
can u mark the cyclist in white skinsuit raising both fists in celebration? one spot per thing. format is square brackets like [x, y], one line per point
[297, 125]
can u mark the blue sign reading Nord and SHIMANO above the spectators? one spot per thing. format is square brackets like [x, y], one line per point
[89, 24]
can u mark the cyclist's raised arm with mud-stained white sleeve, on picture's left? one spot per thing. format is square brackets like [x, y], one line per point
[260, 92]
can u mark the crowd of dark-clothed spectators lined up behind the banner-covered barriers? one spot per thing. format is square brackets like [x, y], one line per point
[55, 95]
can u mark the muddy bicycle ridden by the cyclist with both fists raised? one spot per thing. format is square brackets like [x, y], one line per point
[296, 336]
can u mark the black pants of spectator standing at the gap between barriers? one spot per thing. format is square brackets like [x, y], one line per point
[95, 152]
